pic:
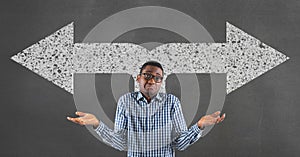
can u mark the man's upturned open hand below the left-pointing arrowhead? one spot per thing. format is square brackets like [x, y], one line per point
[85, 119]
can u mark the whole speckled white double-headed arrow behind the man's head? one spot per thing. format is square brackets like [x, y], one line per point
[242, 57]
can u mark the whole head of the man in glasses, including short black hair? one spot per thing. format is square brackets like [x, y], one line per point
[150, 78]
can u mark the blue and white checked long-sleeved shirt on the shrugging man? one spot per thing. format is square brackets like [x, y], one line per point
[149, 129]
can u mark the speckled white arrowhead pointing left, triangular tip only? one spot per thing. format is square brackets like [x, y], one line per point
[51, 57]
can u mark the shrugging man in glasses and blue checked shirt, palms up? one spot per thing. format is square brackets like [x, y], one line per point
[149, 123]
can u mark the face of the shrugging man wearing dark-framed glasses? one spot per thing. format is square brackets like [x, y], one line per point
[149, 87]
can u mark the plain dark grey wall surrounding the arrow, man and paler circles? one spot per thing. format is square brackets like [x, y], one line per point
[261, 116]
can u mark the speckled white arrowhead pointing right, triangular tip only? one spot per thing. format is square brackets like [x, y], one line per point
[247, 57]
